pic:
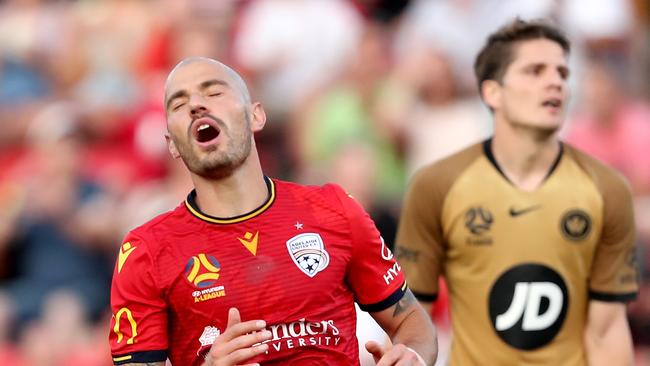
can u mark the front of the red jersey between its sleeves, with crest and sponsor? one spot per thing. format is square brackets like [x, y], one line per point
[287, 269]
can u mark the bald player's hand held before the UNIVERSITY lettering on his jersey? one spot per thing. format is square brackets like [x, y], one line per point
[239, 342]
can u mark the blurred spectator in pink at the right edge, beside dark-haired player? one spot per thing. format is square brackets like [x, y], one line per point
[612, 125]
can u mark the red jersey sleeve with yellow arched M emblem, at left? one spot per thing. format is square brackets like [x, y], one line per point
[138, 332]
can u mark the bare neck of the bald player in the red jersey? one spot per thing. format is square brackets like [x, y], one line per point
[236, 194]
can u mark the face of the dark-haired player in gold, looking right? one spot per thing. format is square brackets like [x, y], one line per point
[533, 92]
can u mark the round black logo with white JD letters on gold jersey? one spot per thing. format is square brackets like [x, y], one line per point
[527, 306]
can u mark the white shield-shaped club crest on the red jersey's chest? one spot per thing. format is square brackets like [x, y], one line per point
[308, 253]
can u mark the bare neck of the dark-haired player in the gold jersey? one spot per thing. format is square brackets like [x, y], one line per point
[525, 155]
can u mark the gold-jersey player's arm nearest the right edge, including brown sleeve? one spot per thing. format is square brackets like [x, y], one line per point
[613, 278]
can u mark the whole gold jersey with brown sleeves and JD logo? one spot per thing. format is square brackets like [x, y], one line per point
[520, 266]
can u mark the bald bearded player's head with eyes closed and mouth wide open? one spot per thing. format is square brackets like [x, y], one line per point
[208, 118]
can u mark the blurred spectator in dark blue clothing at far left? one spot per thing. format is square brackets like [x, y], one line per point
[61, 236]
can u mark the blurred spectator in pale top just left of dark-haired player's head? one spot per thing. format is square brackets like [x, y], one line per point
[427, 103]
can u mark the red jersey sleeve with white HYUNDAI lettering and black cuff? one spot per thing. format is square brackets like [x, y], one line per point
[374, 276]
